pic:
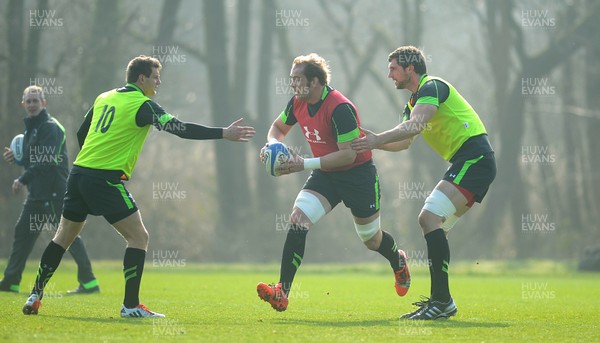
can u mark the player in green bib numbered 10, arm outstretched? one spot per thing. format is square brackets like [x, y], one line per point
[111, 138]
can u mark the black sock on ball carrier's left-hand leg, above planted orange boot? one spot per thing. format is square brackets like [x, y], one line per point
[293, 252]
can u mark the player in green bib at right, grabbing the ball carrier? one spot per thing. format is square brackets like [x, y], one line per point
[453, 129]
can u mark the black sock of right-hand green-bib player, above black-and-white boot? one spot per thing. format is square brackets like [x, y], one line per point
[439, 255]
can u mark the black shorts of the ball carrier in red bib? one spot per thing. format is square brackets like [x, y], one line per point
[358, 188]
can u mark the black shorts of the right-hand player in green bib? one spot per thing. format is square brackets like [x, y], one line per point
[475, 175]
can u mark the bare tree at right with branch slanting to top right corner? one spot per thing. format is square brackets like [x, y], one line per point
[510, 62]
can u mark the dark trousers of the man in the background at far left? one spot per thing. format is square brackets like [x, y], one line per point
[37, 217]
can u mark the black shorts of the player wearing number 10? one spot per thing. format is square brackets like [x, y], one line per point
[99, 195]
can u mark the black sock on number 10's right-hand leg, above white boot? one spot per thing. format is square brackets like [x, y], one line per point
[133, 267]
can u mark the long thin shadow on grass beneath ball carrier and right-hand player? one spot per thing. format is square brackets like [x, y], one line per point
[394, 322]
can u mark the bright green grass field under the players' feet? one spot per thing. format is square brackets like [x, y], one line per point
[497, 302]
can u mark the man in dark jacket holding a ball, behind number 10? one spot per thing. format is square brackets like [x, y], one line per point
[46, 169]
